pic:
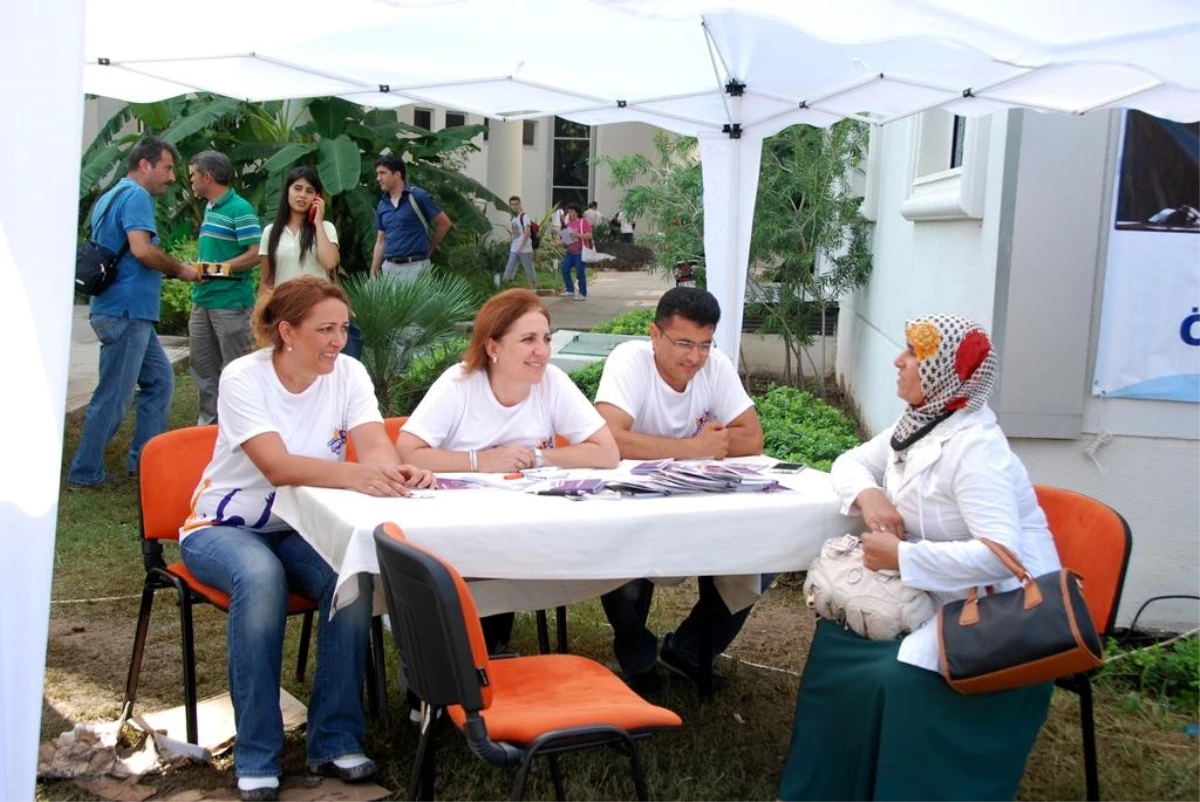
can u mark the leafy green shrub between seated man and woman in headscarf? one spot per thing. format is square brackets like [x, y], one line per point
[800, 428]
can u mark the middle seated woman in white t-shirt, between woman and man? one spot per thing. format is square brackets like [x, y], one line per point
[501, 410]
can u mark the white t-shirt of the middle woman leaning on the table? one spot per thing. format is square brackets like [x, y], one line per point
[461, 414]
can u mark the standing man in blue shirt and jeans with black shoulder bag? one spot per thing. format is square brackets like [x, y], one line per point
[124, 316]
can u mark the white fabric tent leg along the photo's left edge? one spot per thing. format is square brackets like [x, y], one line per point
[40, 161]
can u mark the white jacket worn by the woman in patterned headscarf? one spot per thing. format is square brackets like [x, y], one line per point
[958, 483]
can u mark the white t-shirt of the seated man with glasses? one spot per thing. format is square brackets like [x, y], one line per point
[632, 382]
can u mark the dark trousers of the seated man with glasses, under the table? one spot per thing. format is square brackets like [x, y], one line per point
[637, 648]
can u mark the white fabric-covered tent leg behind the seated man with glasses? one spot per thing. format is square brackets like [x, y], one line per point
[731, 188]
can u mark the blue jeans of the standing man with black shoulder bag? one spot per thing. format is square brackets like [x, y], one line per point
[130, 357]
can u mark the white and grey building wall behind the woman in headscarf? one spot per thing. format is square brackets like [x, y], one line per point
[1031, 270]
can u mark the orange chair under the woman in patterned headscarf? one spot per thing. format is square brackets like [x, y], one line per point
[1094, 541]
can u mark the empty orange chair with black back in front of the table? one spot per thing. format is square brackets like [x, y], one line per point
[514, 710]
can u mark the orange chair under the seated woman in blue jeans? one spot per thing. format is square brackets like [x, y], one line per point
[170, 470]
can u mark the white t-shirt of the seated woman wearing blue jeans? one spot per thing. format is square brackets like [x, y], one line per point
[253, 402]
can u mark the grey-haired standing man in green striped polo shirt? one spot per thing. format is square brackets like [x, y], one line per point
[221, 304]
